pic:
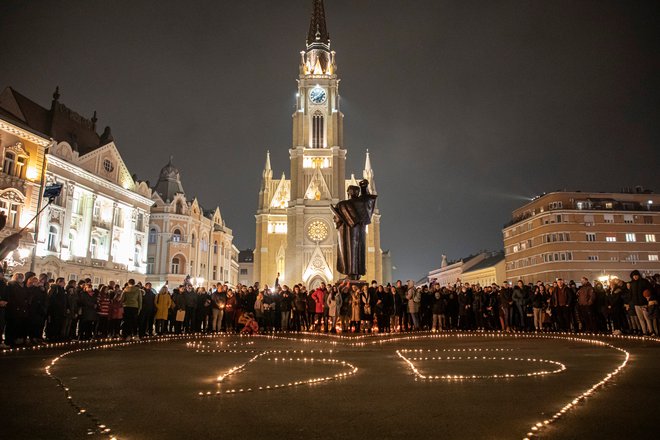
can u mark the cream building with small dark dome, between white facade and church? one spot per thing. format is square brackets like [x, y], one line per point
[180, 231]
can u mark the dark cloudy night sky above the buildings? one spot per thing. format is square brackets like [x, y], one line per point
[468, 107]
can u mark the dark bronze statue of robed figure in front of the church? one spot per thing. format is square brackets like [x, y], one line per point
[351, 219]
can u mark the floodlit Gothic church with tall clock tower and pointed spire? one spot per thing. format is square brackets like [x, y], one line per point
[295, 232]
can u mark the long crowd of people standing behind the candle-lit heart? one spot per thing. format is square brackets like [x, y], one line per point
[35, 309]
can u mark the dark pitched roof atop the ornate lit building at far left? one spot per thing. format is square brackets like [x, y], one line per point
[58, 122]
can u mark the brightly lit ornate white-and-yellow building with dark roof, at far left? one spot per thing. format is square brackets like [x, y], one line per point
[97, 227]
